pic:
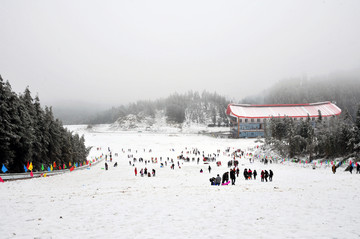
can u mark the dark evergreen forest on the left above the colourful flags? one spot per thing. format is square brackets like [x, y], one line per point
[29, 133]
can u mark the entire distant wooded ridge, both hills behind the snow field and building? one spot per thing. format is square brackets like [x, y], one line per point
[205, 109]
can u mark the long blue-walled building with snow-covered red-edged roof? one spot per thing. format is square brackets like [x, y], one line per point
[248, 121]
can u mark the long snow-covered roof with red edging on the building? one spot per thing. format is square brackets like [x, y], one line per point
[290, 110]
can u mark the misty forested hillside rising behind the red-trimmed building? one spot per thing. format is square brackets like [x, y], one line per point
[342, 89]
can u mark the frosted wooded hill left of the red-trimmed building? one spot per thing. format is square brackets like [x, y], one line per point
[192, 107]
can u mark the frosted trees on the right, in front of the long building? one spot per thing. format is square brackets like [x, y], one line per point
[322, 138]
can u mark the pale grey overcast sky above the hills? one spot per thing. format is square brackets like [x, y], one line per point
[115, 52]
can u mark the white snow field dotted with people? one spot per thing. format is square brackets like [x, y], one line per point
[180, 203]
